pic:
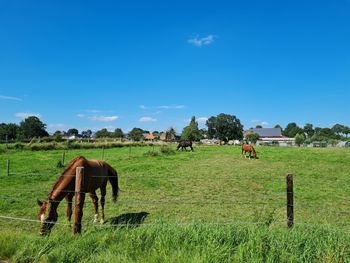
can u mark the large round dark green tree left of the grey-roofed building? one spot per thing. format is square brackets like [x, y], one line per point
[225, 127]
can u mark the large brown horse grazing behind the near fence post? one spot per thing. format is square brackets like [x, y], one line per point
[96, 175]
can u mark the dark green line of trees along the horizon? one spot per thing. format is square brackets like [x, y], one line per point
[223, 127]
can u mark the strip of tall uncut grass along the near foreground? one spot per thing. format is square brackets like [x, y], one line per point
[173, 243]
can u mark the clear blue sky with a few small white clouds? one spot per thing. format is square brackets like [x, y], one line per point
[154, 64]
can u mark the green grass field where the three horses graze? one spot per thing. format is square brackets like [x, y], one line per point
[210, 205]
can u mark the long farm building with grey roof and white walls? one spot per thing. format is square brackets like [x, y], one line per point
[271, 136]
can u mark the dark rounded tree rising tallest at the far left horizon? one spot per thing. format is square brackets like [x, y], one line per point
[32, 127]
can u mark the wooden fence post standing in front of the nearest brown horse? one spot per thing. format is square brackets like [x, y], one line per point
[79, 199]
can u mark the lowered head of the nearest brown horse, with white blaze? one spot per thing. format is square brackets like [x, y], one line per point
[47, 216]
